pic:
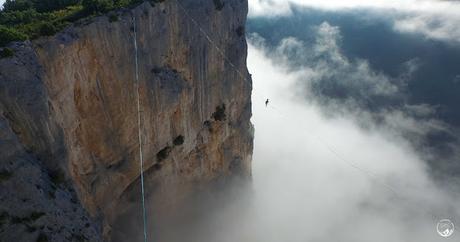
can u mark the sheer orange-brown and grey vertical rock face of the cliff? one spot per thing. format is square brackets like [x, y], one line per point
[70, 102]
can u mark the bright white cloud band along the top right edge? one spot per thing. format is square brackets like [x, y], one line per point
[433, 19]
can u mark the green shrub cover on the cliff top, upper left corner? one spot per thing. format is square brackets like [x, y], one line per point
[30, 19]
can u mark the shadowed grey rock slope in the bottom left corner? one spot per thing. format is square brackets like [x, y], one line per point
[35, 204]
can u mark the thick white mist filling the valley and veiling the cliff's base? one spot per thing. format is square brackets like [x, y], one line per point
[316, 177]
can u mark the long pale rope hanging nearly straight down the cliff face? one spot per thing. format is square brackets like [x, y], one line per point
[139, 128]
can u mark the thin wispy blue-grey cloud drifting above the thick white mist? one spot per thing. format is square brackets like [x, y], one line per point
[351, 87]
